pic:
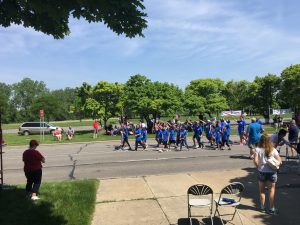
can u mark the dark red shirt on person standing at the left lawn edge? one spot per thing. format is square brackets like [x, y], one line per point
[32, 160]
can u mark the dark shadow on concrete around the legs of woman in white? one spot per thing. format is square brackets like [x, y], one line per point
[287, 198]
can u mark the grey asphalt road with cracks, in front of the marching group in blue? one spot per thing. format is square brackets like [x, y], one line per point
[101, 160]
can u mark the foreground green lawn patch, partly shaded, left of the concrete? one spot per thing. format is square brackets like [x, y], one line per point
[61, 203]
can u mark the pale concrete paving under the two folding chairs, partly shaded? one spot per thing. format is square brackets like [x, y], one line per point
[161, 199]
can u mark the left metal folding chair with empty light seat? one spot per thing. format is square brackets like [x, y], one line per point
[196, 198]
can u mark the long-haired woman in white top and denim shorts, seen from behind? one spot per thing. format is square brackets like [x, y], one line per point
[266, 175]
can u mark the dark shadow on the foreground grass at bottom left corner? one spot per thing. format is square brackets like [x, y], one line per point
[16, 209]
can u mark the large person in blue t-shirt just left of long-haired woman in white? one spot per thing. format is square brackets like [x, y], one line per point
[253, 134]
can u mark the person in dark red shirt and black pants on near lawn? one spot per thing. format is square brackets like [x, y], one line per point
[33, 160]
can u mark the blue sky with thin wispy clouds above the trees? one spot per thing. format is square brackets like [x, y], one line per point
[185, 40]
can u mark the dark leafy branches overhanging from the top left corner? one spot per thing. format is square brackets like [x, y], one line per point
[52, 17]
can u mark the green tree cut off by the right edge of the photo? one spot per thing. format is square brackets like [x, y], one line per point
[290, 86]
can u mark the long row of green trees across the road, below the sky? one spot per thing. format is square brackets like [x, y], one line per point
[143, 98]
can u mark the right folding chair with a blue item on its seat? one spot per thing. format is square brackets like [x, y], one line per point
[230, 196]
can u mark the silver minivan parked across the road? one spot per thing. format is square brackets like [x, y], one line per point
[36, 127]
